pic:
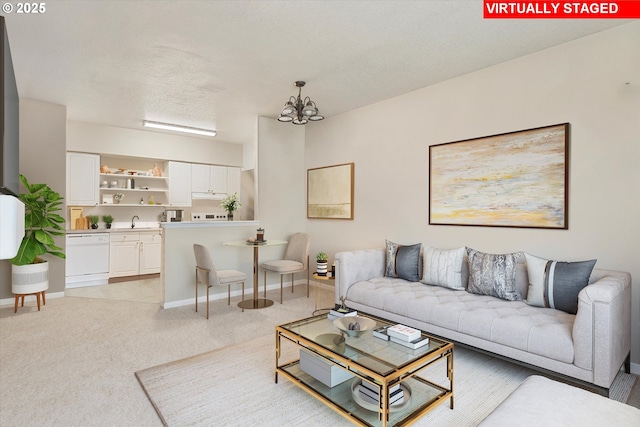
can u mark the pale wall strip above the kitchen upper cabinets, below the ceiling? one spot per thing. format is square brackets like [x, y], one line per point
[110, 140]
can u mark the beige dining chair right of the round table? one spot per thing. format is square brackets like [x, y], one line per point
[296, 259]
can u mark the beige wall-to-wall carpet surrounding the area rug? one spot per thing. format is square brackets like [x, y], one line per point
[73, 363]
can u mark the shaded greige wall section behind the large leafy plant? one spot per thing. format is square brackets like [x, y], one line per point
[42, 160]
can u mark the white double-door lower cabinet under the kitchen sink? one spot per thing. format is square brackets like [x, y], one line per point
[135, 253]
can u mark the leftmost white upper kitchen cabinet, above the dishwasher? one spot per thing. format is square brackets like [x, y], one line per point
[83, 179]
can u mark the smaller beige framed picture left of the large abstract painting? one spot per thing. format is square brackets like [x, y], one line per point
[330, 192]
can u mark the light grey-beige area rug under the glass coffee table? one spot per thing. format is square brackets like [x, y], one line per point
[234, 386]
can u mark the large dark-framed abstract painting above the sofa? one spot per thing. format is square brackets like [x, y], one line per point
[516, 179]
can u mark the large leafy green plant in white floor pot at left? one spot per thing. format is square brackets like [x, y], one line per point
[30, 271]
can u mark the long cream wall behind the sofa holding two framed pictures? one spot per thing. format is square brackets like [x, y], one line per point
[583, 82]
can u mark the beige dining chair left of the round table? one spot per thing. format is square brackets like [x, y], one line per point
[206, 274]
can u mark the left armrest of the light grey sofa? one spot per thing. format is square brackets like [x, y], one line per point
[355, 266]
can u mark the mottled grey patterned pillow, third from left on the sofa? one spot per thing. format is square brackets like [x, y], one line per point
[493, 274]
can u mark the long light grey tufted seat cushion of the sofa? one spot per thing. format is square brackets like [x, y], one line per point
[542, 331]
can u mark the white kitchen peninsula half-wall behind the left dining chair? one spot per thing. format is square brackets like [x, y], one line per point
[178, 273]
